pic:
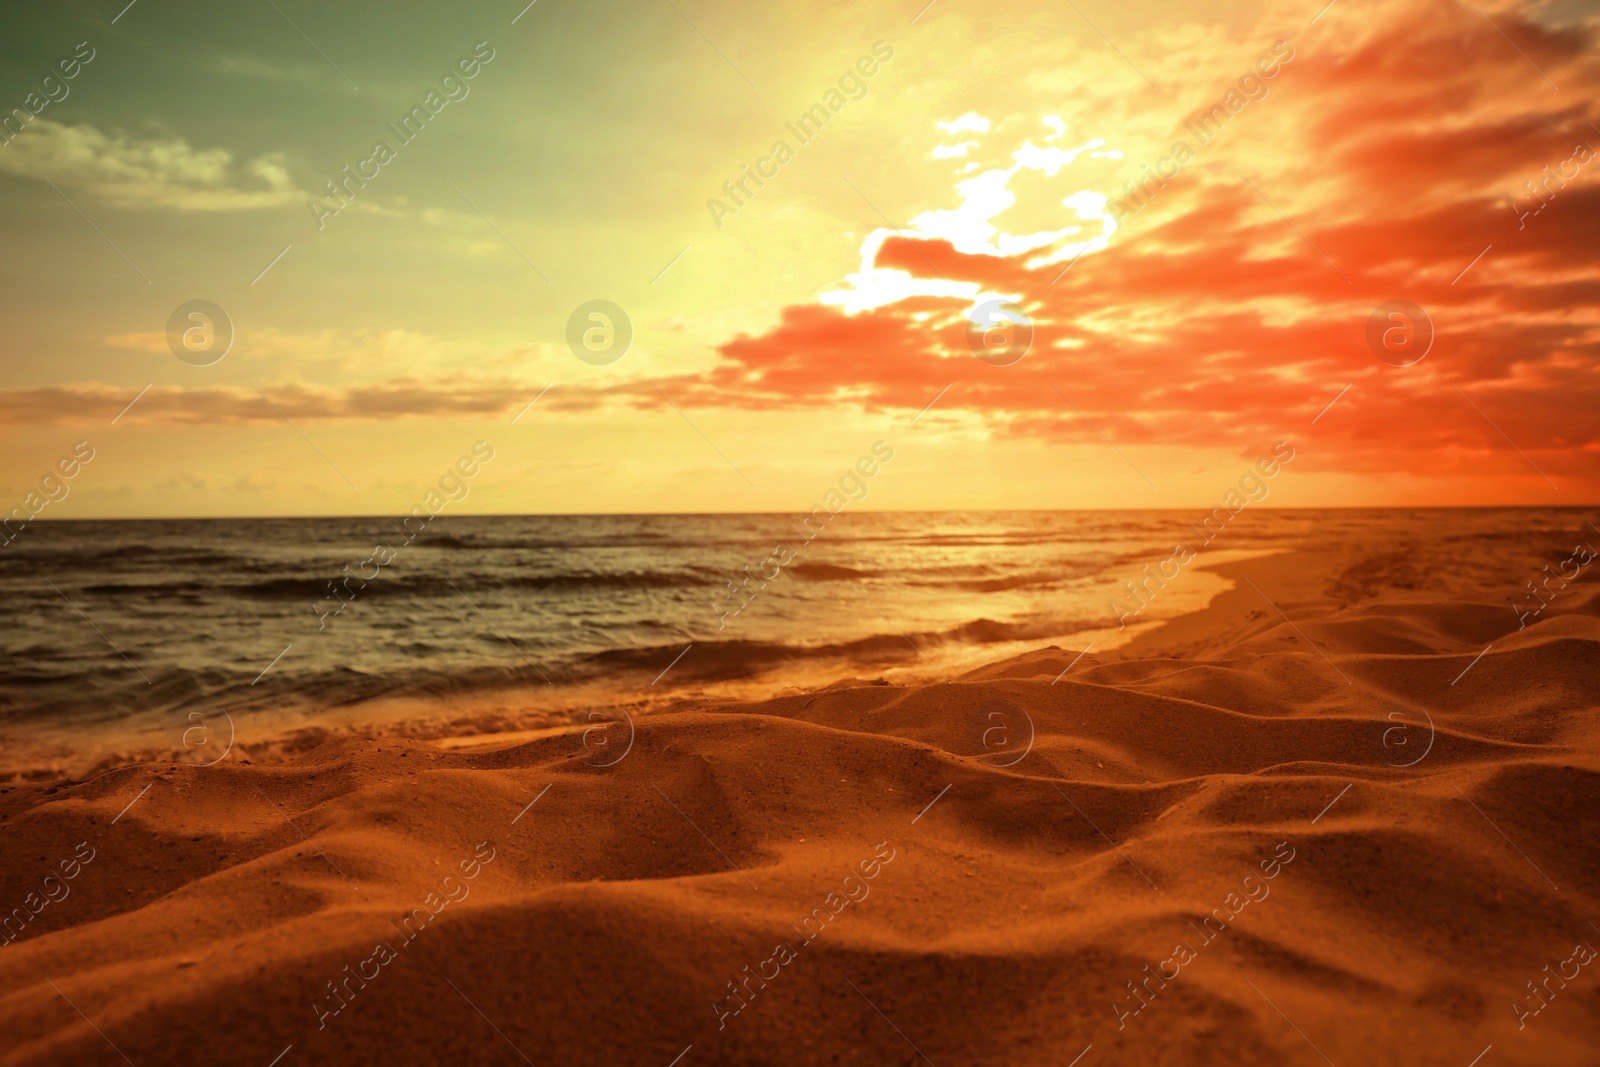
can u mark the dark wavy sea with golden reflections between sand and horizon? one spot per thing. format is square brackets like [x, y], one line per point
[134, 639]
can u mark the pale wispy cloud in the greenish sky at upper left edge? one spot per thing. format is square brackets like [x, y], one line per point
[148, 172]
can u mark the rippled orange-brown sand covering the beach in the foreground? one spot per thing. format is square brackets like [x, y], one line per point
[1318, 823]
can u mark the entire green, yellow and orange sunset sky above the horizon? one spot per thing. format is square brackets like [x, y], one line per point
[1364, 230]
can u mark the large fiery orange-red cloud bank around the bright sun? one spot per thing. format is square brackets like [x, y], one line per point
[1231, 305]
